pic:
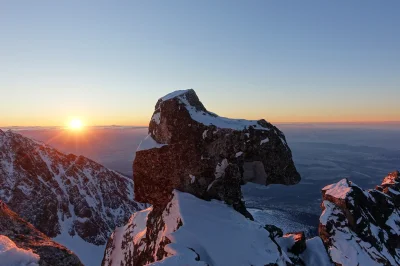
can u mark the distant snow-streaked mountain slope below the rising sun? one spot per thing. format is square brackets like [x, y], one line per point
[63, 195]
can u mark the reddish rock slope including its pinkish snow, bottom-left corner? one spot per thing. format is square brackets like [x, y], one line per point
[25, 237]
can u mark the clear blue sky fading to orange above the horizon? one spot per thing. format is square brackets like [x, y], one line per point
[107, 62]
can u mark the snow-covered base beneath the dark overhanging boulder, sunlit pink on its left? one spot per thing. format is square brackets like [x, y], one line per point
[191, 231]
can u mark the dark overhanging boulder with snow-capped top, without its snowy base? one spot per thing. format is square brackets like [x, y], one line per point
[193, 150]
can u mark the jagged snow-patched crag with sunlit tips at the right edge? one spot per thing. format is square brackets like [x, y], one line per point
[362, 227]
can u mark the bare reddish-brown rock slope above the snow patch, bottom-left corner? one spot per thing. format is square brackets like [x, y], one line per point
[25, 236]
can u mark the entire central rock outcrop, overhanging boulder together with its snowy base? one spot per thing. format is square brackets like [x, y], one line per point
[190, 168]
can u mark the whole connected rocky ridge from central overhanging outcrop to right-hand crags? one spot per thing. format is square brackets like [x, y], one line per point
[191, 167]
